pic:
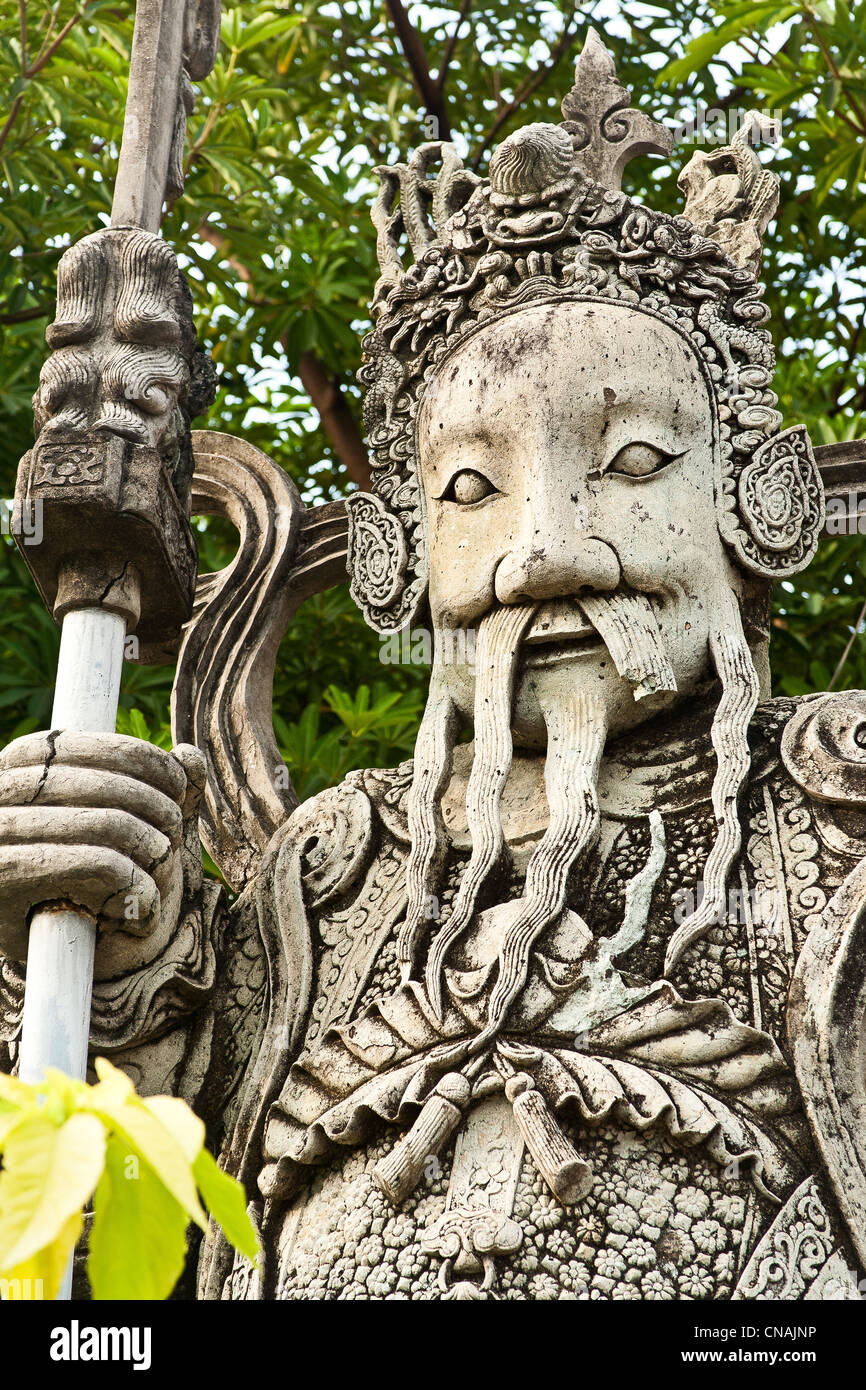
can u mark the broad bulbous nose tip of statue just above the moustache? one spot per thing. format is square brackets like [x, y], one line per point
[553, 569]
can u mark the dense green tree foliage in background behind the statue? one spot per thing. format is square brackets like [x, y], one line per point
[275, 234]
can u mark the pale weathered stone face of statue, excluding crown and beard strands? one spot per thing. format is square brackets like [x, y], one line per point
[568, 450]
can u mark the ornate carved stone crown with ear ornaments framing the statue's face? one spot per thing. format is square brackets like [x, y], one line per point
[551, 223]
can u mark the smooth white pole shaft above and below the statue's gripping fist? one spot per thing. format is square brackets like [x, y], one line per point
[56, 1021]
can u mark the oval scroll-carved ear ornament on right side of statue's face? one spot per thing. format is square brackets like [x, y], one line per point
[782, 502]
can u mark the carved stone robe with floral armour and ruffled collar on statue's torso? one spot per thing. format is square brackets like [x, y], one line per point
[283, 1021]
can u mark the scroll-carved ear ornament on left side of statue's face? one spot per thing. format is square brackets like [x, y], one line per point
[377, 561]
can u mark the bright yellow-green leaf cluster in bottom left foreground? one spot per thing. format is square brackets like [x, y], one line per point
[142, 1163]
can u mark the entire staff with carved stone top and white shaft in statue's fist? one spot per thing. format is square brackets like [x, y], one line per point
[112, 466]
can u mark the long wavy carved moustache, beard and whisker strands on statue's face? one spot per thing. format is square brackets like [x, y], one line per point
[576, 739]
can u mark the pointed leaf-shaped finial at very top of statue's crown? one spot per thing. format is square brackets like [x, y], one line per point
[607, 131]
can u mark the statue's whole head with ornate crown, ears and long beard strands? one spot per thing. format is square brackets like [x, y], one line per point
[579, 461]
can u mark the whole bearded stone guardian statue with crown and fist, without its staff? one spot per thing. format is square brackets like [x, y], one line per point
[573, 1010]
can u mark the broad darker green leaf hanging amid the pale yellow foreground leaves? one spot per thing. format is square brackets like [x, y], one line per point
[138, 1241]
